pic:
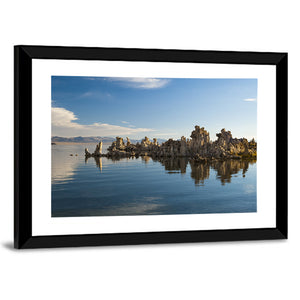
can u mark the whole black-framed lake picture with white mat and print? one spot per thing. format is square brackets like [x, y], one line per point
[142, 146]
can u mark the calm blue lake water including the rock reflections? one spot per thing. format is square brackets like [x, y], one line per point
[142, 186]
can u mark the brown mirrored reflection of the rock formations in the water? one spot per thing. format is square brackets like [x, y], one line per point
[200, 171]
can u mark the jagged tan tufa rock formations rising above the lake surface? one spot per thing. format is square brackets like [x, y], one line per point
[198, 148]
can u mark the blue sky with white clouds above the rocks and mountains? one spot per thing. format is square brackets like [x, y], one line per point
[153, 107]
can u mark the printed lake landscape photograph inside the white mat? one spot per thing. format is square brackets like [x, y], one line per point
[124, 146]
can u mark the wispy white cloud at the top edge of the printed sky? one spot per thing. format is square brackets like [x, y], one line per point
[140, 82]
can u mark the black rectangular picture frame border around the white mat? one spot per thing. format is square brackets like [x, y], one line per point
[23, 56]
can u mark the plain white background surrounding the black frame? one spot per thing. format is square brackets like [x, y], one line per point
[240, 270]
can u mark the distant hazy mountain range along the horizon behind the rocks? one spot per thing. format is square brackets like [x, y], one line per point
[91, 139]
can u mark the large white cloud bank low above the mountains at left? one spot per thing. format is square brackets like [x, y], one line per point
[64, 123]
